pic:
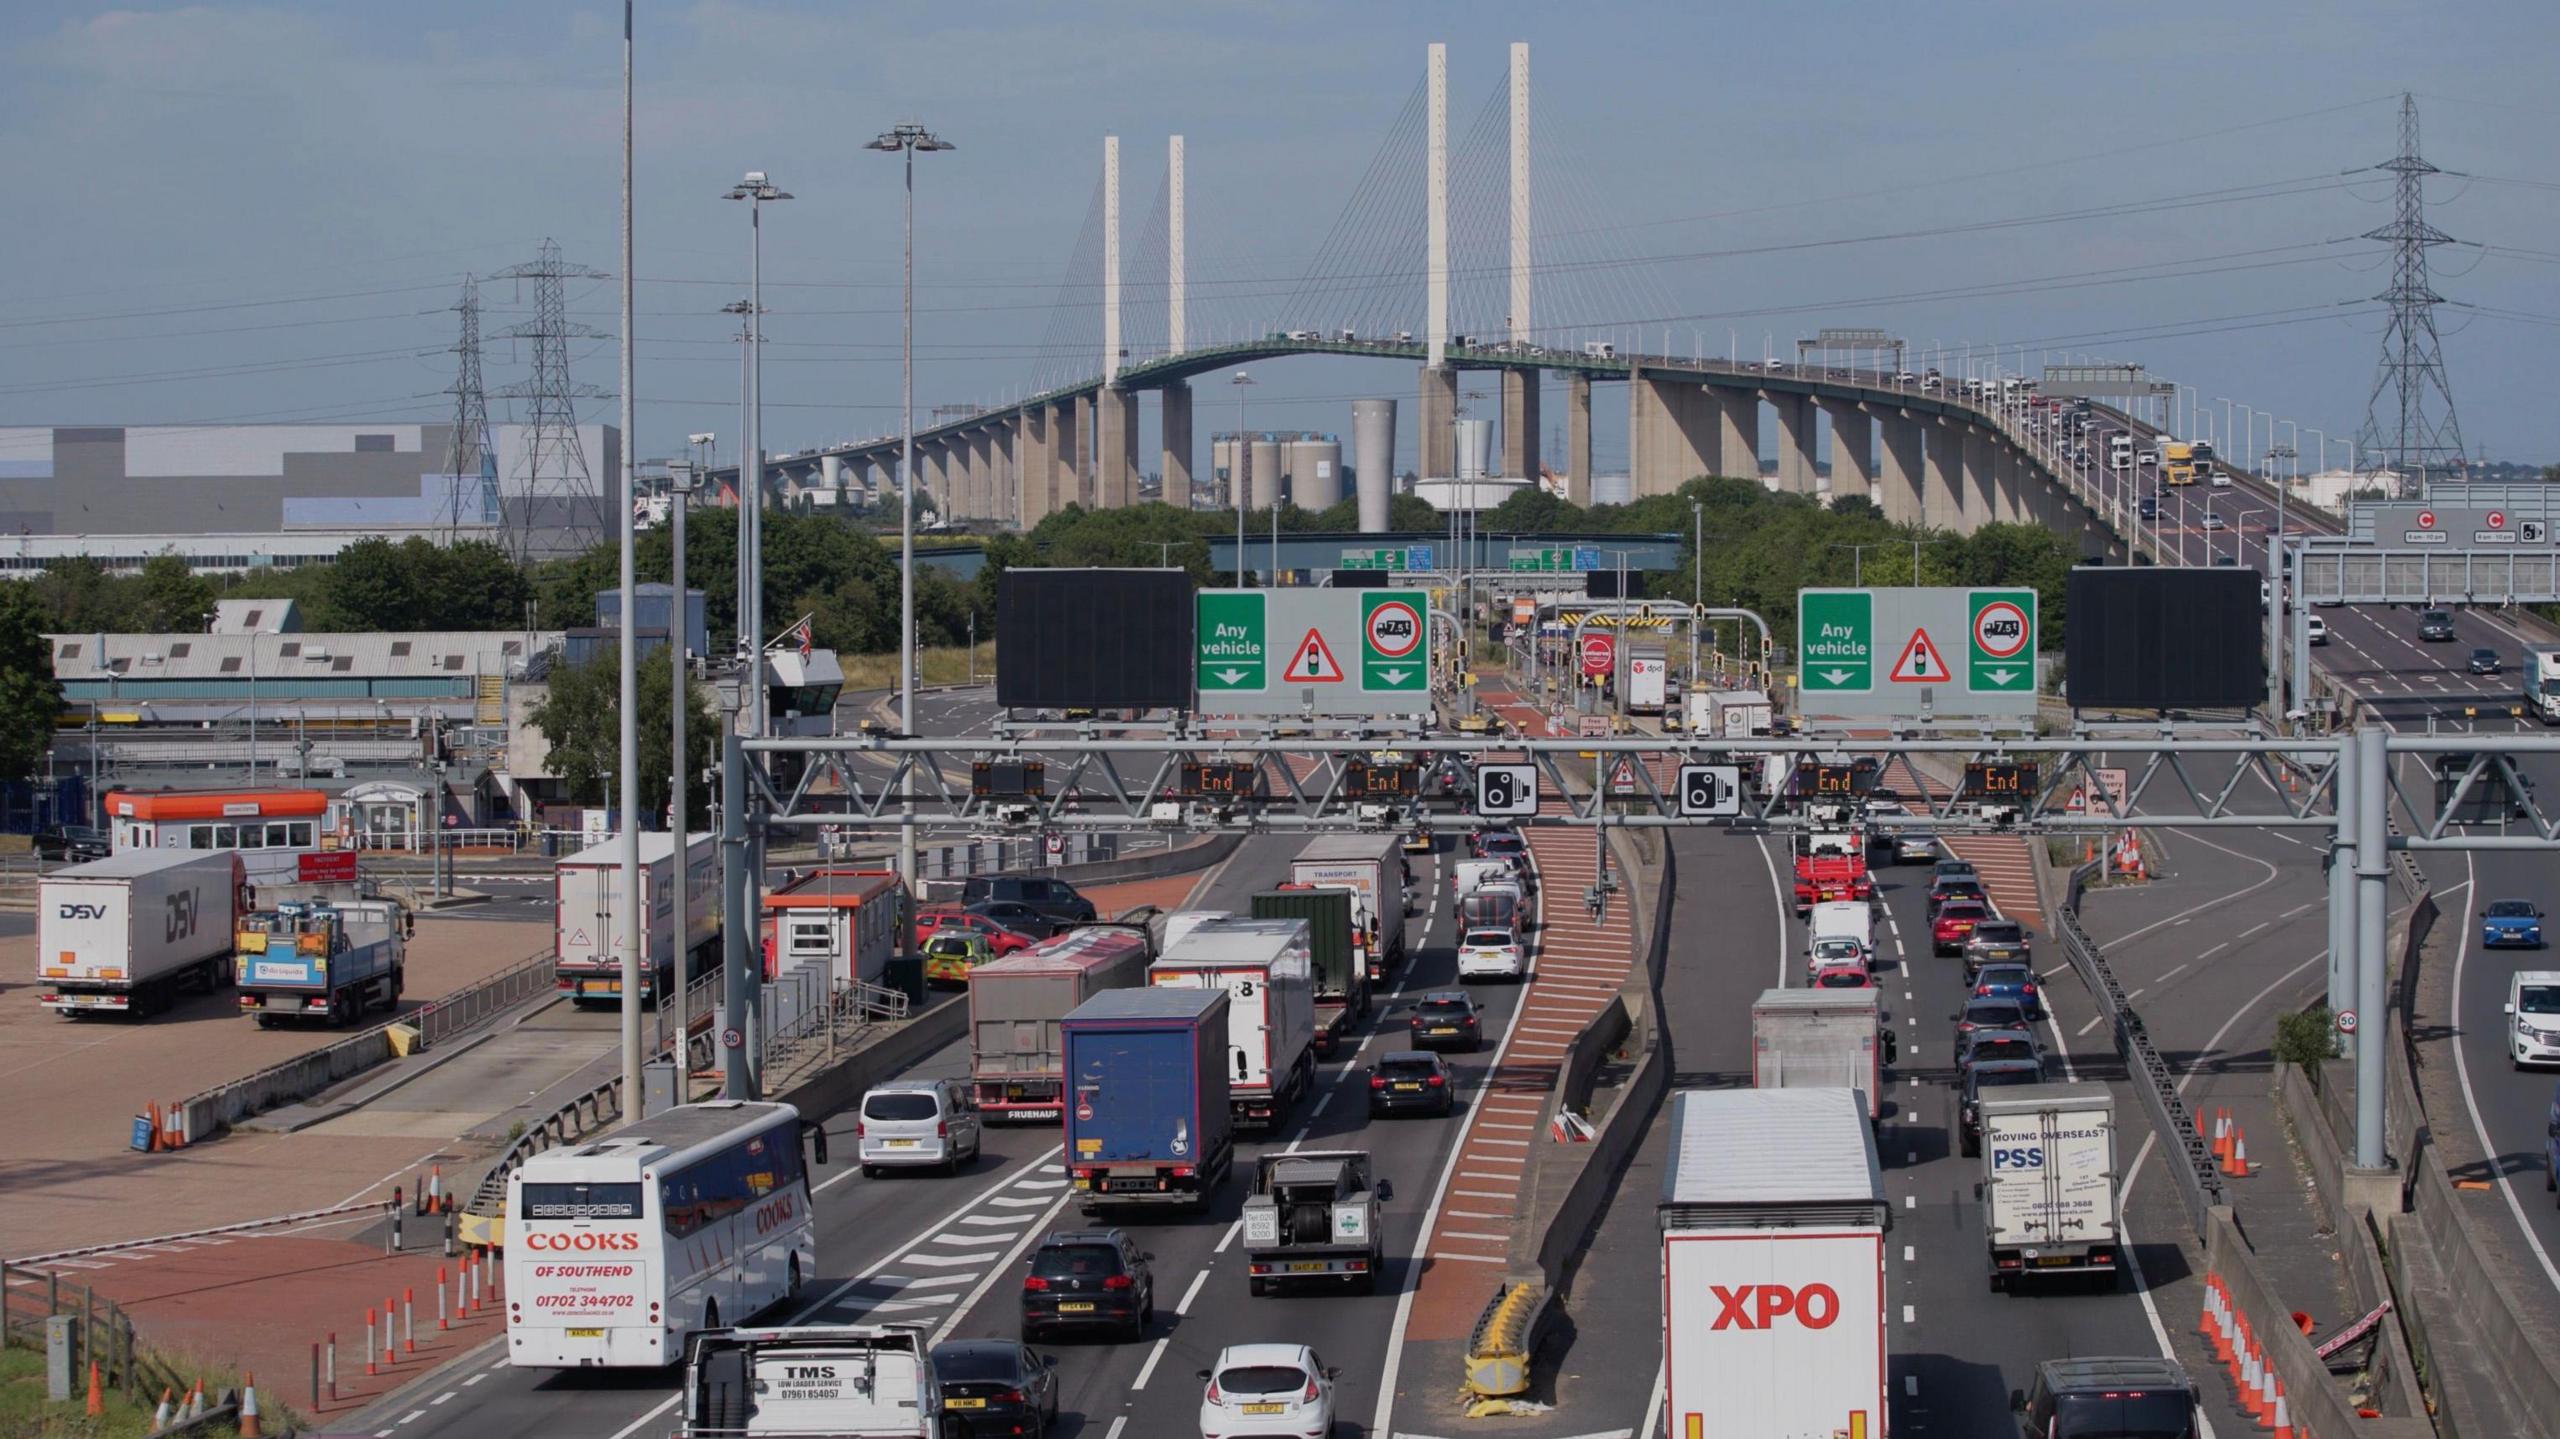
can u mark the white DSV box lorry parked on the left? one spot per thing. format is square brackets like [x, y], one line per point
[127, 933]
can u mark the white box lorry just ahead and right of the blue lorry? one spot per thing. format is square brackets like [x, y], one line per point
[1271, 1018]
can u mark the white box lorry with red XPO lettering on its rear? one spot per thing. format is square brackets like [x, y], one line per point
[1773, 1266]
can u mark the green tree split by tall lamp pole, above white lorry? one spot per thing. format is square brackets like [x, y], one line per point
[582, 718]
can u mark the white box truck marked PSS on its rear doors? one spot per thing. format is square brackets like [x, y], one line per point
[2049, 1182]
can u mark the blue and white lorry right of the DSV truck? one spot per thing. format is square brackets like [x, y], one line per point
[324, 961]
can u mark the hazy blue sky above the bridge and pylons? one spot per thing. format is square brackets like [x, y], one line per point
[262, 211]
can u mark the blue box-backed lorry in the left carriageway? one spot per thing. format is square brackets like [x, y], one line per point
[1148, 1113]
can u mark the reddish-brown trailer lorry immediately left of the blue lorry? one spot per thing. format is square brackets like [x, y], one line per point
[1018, 1010]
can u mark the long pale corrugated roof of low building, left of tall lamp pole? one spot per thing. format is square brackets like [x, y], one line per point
[431, 654]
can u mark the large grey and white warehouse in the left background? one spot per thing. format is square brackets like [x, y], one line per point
[237, 498]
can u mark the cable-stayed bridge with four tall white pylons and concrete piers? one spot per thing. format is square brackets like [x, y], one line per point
[1440, 260]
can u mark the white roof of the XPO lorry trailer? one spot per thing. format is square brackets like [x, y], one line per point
[1773, 1146]
